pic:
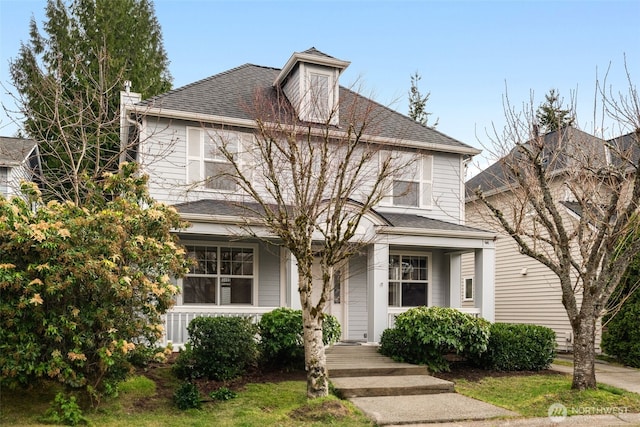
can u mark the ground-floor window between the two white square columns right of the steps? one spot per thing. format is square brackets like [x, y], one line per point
[408, 280]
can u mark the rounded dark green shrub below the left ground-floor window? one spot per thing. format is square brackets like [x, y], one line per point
[219, 348]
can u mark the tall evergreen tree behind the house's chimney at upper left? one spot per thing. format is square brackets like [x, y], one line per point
[68, 79]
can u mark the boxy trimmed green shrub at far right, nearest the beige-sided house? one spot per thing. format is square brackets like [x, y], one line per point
[519, 347]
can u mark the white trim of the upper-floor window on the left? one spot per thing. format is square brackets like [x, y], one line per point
[202, 159]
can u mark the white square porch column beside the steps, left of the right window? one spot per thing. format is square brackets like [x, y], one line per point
[378, 290]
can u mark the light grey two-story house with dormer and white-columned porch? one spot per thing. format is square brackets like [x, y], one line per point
[415, 258]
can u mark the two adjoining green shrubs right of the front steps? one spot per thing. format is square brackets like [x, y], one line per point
[426, 335]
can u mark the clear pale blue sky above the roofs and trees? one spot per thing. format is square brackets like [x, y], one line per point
[469, 53]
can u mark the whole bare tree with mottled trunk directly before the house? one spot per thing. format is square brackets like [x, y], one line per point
[310, 185]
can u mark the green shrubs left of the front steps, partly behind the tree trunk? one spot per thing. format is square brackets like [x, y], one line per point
[222, 348]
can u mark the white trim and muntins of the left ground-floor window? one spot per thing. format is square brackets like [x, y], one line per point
[218, 245]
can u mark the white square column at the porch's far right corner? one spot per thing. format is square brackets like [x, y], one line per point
[485, 282]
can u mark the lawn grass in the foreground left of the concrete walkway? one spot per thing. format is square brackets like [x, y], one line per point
[145, 401]
